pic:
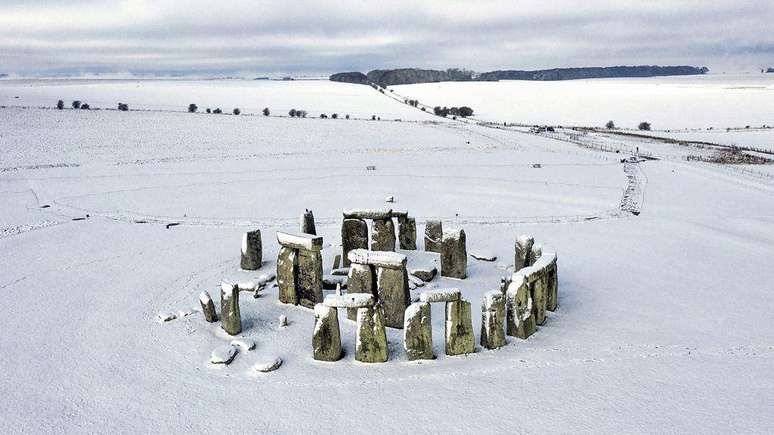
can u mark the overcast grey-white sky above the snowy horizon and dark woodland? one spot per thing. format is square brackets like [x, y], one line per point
[206, 37]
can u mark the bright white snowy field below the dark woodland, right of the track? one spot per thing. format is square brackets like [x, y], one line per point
[713, 100]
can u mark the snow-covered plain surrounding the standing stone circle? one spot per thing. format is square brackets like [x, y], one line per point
[664, 321]
